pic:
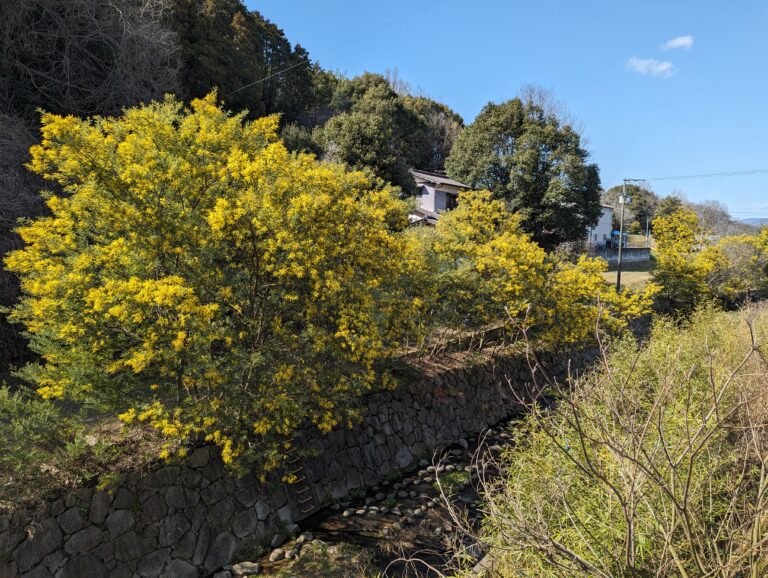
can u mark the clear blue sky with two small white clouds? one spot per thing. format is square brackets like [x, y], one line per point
[648, 109]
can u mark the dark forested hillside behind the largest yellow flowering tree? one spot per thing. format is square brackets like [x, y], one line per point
[87, 58]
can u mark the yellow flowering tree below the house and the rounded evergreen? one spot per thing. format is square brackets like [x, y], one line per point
[493, 271]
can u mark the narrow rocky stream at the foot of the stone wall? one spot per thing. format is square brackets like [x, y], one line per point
[403, 526]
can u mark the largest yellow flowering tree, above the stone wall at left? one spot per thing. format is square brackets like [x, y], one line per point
[198, 277]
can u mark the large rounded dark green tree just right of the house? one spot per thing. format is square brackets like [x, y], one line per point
[536, 163]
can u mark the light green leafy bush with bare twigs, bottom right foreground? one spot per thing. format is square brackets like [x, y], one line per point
[655, 466]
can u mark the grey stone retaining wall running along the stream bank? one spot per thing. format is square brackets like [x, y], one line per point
[188, 521]
